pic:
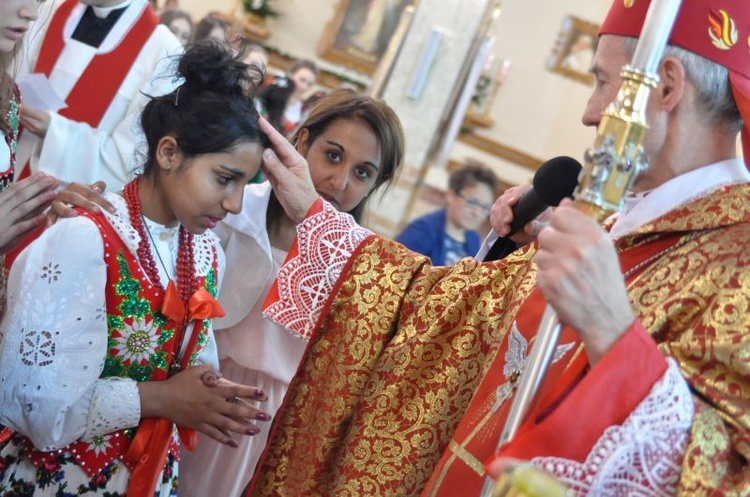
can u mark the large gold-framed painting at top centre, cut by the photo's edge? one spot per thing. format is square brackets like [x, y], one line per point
[360, 32]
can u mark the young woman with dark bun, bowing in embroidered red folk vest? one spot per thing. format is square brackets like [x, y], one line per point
[107, 347]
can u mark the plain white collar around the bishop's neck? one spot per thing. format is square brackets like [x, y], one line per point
[640, 209]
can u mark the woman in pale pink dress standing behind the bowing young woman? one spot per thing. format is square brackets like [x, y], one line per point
[354, 145]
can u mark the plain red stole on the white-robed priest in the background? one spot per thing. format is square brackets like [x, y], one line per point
[94, 91]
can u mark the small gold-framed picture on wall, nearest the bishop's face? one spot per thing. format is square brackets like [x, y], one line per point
[574, 50]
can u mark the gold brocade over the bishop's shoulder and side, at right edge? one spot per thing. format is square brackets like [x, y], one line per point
[696, 303]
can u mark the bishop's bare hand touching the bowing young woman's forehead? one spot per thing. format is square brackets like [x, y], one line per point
[288, 173]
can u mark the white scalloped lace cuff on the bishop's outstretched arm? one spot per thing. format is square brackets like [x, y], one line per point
[325, 243]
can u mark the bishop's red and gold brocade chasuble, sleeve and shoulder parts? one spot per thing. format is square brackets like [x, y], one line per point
[401, 347]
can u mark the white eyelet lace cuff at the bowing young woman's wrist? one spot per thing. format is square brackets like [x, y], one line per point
[115, 405]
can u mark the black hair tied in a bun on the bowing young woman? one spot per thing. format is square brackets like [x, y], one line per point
[211, 112]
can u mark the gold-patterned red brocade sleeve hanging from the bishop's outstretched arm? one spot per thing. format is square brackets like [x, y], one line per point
[398, 394]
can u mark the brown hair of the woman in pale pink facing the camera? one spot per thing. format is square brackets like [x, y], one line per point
[348, 104]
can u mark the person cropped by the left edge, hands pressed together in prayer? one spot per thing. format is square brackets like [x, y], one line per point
[22, 203]
